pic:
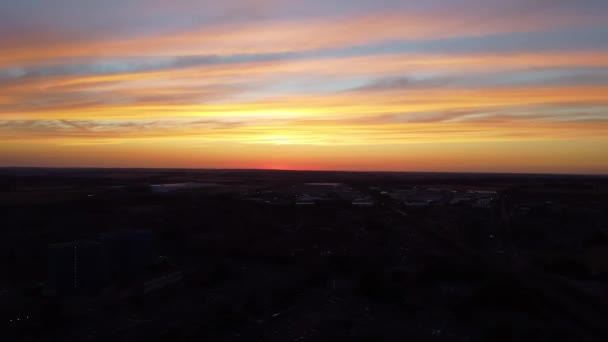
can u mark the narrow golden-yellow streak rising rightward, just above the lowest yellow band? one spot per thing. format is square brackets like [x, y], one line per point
[353, 103]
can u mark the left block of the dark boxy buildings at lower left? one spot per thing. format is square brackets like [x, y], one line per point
[76, 267]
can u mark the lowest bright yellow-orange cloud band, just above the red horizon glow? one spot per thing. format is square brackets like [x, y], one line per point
[540, 123]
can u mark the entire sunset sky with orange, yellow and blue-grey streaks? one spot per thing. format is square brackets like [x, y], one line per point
[369, 85]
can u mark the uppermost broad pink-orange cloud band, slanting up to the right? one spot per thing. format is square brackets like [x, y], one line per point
[285, 35]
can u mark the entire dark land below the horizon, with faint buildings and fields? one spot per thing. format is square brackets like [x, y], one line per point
[199, 255]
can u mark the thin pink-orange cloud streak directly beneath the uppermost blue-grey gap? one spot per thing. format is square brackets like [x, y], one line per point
[241, 66]
